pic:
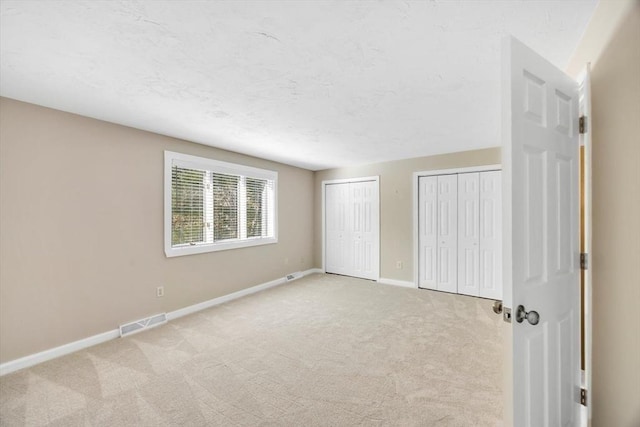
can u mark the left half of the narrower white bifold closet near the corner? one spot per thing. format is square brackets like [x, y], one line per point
[337, 236]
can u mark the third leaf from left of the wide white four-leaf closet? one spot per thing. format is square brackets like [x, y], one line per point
[468, 234]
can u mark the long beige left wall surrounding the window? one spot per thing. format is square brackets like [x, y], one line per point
[81, 216]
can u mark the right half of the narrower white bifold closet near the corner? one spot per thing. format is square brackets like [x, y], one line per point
[364, 220]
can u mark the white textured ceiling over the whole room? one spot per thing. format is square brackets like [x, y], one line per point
[315, 84]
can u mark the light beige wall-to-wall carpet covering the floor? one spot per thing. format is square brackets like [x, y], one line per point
[324, 350]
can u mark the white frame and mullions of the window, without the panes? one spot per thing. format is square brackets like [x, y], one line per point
[184, 160]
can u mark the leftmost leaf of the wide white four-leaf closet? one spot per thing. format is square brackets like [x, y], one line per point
[428, 231]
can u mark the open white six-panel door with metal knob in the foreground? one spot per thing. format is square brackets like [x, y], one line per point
[541, 250]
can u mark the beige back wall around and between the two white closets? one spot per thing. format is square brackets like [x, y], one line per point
[396, 203]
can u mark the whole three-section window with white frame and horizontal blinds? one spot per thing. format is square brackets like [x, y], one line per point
[212, 205]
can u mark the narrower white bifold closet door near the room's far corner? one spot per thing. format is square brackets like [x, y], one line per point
[352, 227]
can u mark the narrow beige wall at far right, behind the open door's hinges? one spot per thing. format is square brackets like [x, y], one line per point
[615, 85]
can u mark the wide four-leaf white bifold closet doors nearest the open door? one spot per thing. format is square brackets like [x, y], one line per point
[460, 233]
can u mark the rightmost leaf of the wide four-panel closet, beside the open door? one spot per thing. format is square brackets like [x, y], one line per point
[490, 198]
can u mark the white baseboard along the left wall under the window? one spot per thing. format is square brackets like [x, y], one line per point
[43, 356]
